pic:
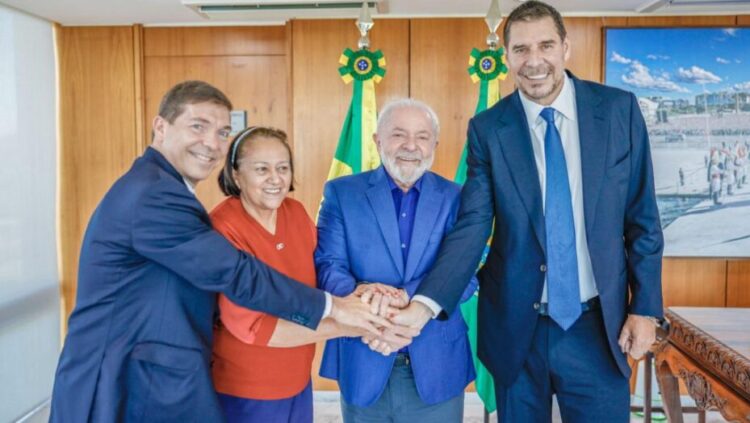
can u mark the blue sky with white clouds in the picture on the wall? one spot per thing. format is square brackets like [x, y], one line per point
[678, 62]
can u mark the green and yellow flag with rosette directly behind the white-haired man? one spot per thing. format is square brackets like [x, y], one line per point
[356, 152]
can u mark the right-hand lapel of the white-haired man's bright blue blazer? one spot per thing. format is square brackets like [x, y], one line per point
[425, 217]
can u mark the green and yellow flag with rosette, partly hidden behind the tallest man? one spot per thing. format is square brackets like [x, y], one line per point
[488, 68]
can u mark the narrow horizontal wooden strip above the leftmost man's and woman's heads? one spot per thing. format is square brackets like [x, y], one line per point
[215, 41]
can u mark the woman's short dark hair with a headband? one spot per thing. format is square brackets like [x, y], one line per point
[237, 149]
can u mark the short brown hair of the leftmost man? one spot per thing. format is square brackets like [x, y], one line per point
[190, 92]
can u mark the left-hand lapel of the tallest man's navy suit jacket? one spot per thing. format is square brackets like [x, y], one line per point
[515, 142]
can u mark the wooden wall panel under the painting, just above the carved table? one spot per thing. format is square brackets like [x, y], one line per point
[694, 282]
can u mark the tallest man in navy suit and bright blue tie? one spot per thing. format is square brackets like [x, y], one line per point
[572, 281]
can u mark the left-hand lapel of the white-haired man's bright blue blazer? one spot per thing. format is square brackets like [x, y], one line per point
[381, 201]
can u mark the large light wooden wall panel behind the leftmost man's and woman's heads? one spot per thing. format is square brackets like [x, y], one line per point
[257, 84]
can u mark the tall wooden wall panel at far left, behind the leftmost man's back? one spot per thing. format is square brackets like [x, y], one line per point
[97, 130]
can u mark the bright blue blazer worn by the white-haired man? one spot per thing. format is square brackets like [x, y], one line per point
[358, 240]
